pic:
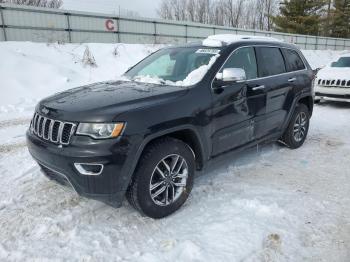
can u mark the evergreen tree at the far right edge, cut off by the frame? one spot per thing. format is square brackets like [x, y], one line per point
[340, 19]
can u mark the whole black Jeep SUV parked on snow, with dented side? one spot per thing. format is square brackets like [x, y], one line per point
[143, 137]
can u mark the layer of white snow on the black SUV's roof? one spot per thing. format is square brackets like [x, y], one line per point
[225, 39]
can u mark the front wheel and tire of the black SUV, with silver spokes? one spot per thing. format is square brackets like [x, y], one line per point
[151, 171]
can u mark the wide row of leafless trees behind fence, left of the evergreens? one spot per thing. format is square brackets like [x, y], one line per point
[253, 14]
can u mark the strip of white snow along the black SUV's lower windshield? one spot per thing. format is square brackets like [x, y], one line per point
[192, 78]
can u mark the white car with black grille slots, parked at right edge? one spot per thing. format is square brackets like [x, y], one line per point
[333, 81]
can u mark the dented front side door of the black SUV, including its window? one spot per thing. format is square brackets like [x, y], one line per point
[234, 105]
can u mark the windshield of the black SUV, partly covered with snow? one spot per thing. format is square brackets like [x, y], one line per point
[182, 66]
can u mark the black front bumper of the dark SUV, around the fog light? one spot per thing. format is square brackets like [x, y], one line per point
[115, 155]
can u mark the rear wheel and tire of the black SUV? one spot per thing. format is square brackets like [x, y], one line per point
[296, 132]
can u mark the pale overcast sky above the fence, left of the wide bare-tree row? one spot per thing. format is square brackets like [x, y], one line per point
[145, 8]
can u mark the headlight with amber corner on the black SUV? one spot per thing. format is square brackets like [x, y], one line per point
[100, 131]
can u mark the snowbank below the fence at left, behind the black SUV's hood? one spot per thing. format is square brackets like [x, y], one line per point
[32, 71]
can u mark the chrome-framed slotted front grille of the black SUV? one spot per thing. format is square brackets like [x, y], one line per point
[52, 130]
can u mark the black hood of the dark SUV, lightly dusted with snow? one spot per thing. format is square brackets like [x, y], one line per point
[104, 101]
